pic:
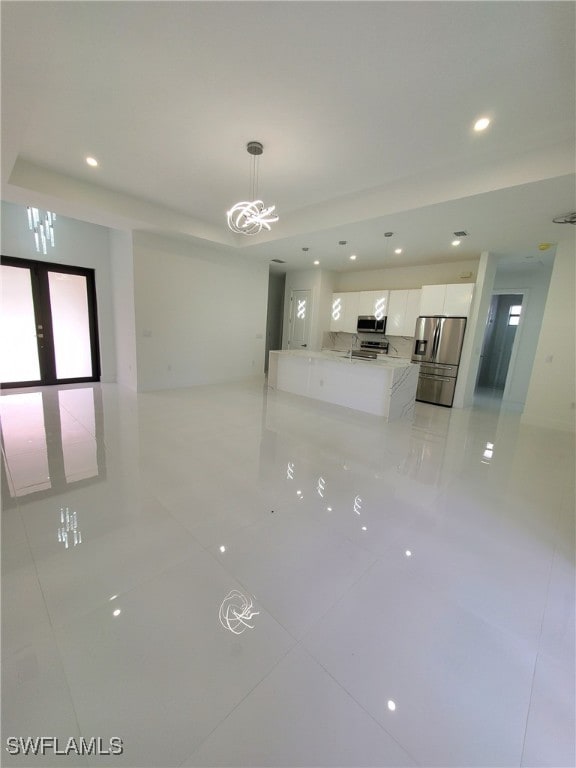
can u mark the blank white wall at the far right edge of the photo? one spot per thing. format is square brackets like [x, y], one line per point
[551, 398]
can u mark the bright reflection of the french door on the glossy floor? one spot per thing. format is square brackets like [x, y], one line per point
[47, 460]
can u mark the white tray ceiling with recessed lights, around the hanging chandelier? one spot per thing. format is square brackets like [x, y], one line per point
[365, 110]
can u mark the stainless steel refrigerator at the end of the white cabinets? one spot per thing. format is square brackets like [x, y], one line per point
[437, 347]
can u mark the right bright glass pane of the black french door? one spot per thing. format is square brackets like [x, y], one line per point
[70, 325]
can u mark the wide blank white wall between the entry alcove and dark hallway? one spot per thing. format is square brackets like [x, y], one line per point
[200, 313]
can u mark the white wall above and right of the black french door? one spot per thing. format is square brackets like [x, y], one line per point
[78, 244]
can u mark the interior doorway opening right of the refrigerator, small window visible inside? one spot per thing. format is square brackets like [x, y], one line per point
[500, 343]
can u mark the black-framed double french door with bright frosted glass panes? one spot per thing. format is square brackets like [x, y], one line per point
[48, 324]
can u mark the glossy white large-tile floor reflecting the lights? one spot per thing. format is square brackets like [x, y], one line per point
[408, 587]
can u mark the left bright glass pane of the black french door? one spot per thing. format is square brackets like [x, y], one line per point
[19, 360]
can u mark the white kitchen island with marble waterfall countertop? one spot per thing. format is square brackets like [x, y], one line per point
[385, 386]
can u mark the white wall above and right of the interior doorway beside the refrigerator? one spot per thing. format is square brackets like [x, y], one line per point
[534, 284]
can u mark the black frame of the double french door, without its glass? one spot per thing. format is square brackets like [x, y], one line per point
[43, 317]
